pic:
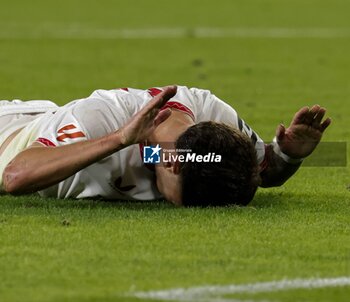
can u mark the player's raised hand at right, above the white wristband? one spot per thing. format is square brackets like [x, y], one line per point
[304, 133]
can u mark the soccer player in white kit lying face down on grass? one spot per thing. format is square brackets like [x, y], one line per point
[91, 147]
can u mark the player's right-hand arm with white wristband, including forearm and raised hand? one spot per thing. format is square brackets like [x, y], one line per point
[284, 156]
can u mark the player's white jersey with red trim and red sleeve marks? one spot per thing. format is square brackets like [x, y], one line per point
[123, 174]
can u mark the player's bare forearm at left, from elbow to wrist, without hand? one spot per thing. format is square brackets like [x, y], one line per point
[37, 168]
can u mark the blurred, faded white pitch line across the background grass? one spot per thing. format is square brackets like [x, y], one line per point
[79, 31]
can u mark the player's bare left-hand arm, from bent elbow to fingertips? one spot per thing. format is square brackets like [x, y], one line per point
[39, 167]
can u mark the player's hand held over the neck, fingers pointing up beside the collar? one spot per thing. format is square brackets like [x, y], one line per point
[142, 124]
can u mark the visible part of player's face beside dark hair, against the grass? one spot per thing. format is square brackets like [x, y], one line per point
[168, 183]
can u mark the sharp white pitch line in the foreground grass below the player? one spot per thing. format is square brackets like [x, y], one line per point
[215, 292]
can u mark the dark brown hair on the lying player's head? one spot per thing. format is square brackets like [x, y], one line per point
[234, 180]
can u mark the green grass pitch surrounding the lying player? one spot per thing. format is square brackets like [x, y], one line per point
[267, 59]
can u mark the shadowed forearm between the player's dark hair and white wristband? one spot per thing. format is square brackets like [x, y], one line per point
[277, 171]
